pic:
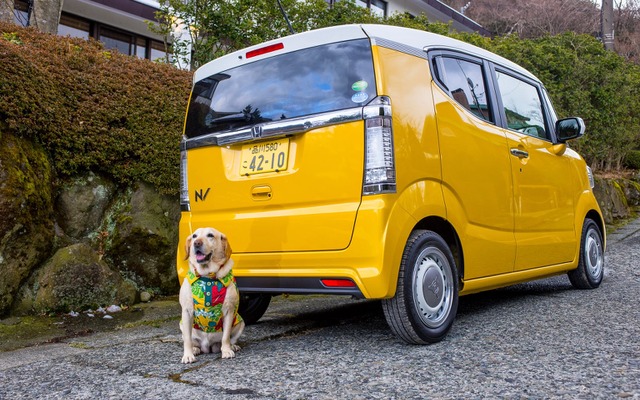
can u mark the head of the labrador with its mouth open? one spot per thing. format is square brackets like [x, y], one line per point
[207, 249]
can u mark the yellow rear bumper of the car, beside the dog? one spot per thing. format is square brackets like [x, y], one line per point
[370, 260]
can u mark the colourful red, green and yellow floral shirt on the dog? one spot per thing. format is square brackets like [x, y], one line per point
[208, 295]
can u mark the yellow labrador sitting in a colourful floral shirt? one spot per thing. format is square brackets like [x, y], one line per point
[209, 297]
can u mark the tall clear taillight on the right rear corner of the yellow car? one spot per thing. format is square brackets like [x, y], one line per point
[379, 159]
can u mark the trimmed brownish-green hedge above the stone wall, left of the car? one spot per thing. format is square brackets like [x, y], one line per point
[93, 109]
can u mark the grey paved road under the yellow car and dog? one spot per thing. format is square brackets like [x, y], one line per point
[536, 340]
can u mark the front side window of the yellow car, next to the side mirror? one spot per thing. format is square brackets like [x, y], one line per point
[522, 106]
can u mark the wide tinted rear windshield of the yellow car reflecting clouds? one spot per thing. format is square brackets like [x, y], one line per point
[310, 81]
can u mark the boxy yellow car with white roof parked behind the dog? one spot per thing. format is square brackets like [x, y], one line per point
[385, 163]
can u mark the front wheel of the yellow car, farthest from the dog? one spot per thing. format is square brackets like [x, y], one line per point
[590, 269]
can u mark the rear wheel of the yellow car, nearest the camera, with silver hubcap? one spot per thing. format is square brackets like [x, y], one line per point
[426, 300]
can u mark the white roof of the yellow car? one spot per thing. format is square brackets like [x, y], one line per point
[413, 40]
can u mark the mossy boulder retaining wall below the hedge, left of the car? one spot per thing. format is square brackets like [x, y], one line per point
[79, 243]
